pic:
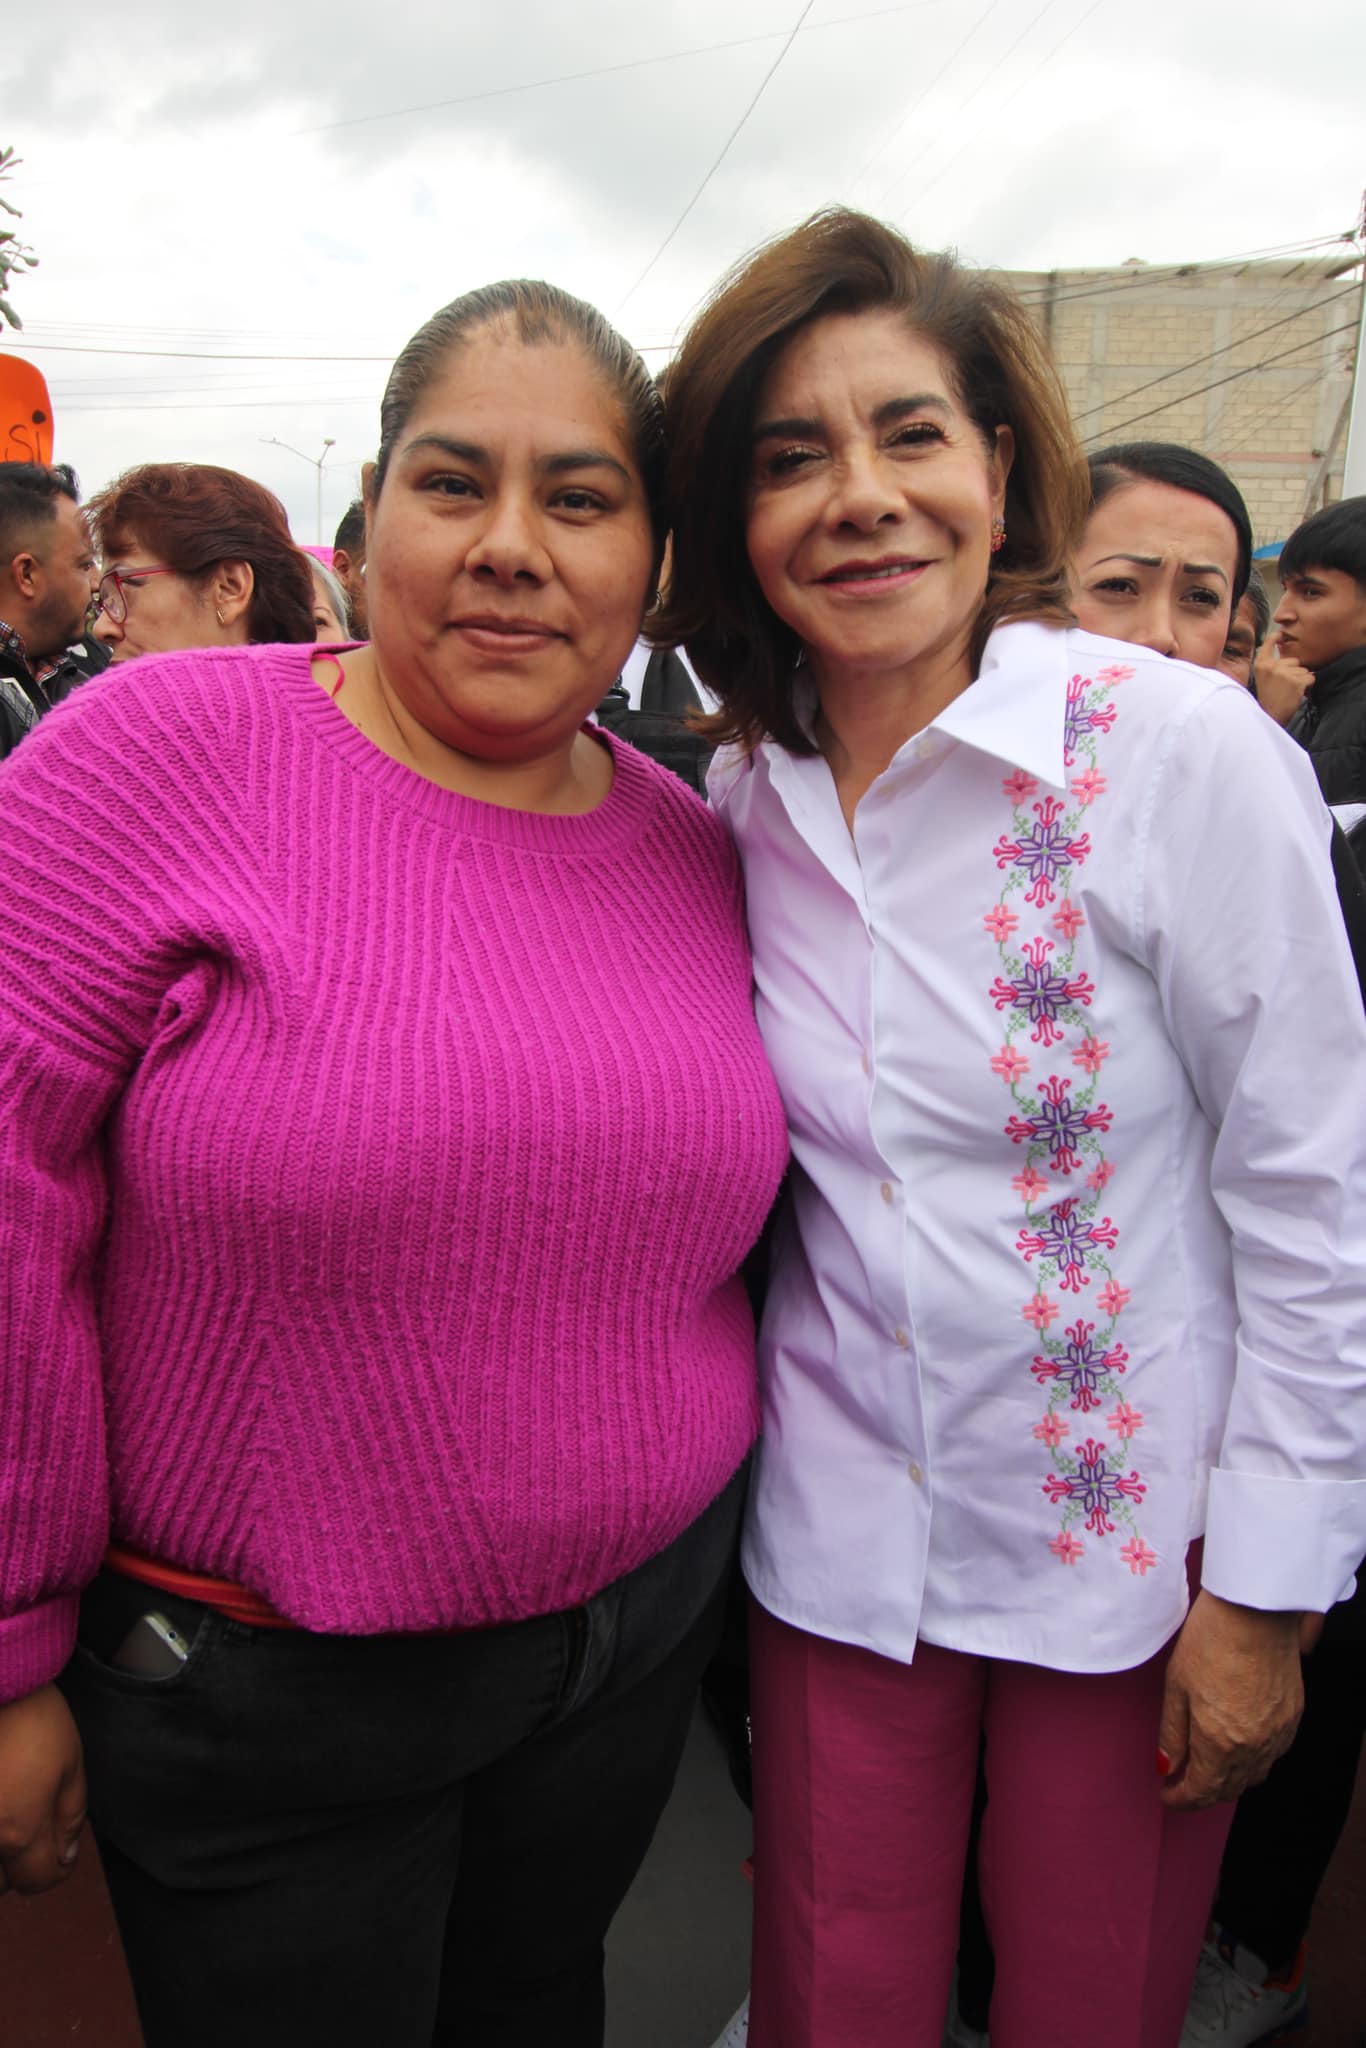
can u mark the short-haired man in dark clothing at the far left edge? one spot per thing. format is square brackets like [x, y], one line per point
[48, 577]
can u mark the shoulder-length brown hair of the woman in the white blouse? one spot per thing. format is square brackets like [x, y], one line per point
[847, 263]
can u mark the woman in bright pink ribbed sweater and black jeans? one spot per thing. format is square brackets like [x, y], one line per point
[382, 1129]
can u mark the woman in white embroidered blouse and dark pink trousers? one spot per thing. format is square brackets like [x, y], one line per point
[1068, 1308]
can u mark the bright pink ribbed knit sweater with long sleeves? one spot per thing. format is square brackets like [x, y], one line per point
[374, 1166]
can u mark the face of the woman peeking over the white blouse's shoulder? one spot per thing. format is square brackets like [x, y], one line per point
[1156, 566]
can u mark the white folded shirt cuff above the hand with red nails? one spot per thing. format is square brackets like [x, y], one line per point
[1283, 1545]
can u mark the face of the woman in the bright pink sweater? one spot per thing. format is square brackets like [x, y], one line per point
[509, 548]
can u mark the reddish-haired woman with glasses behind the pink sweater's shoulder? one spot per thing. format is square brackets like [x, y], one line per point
[196, 558]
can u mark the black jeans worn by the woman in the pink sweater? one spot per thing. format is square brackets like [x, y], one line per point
[392, 1842]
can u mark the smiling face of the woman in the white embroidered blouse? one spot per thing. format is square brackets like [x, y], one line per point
[871, 499]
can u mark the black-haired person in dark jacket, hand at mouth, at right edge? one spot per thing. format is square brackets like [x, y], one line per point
[1316, 685]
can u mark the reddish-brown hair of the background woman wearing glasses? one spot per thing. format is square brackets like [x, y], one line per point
[194, 517]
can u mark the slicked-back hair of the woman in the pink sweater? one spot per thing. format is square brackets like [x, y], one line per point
[540, 314]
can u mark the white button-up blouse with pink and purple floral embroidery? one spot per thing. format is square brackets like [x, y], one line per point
[1076, 1072]
